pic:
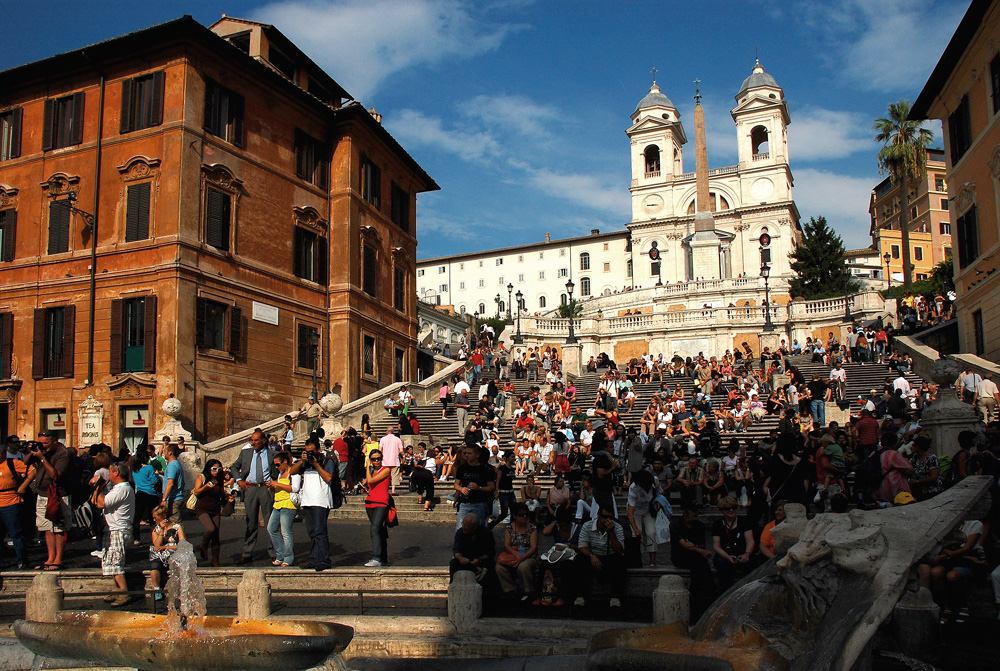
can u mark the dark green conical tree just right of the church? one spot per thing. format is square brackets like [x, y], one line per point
[818, 262]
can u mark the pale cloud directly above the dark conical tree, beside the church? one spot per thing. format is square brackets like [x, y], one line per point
[842, 199]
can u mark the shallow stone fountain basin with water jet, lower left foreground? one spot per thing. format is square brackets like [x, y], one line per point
[148, 643]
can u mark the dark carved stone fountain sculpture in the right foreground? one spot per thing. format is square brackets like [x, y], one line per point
[815, 609]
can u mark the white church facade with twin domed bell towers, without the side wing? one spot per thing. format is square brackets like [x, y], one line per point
[749, 202]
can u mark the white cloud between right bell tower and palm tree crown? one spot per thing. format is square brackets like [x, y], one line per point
[818, 134]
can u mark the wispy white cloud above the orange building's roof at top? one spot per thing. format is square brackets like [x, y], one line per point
[362, 42]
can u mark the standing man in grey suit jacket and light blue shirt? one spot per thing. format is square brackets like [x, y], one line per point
[253, 469]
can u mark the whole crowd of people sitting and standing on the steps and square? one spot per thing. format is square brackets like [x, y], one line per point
[684, 447]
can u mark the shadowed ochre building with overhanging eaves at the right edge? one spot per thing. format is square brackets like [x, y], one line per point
[963, 92]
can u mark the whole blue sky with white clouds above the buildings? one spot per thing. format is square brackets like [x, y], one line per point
[518, 107]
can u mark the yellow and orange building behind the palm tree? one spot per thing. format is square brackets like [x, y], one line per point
[929, 221]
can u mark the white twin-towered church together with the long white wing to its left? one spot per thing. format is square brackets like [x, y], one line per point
[663, 244]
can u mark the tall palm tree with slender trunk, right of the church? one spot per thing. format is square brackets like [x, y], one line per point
[903, 157]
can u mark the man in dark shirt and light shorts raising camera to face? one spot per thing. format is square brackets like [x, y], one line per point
[51, 460]
